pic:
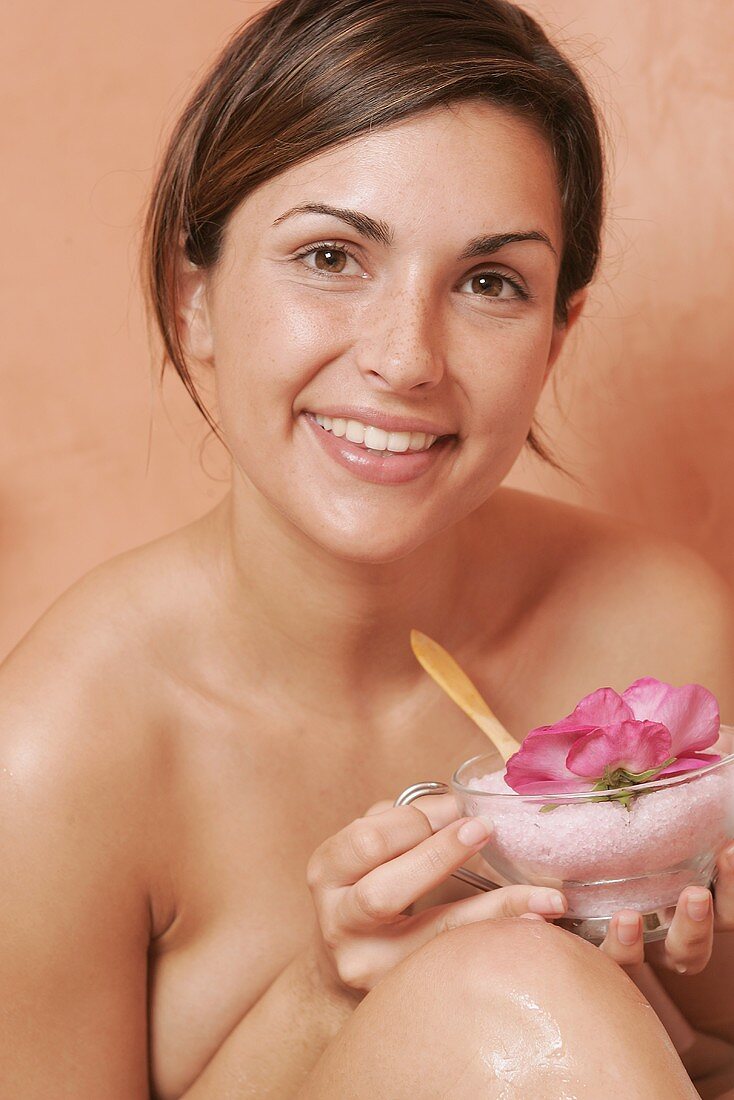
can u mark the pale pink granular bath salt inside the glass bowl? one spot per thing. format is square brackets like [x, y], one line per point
[666, 841]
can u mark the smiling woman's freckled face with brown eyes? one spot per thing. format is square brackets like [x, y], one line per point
[398, 318]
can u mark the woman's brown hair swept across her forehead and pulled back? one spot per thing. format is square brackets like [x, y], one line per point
[303, 76]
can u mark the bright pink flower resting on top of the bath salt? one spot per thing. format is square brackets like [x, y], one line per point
[652, 730]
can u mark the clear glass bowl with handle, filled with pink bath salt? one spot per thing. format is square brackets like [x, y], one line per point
[604, 856]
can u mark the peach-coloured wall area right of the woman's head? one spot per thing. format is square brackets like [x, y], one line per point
[645, 404]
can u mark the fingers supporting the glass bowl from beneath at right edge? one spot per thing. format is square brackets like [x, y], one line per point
[687, 948]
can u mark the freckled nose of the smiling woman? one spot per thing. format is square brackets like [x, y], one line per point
[403, 351]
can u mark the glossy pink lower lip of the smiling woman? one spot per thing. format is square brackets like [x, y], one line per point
[388, 470]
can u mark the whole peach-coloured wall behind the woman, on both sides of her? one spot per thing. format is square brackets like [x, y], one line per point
[95, 461]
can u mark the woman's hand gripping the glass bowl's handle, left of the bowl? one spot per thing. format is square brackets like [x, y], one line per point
[366, 877]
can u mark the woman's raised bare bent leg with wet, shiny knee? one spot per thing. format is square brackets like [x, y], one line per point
[502, 1010]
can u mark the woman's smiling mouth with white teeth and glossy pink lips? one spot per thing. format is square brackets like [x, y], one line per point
[376, 455]
